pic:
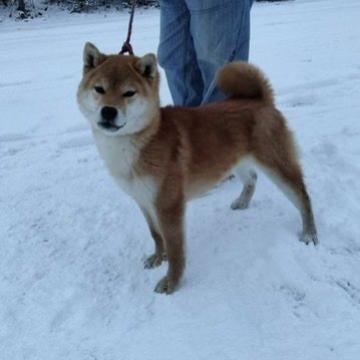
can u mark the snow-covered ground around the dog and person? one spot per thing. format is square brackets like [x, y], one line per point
[72, 284]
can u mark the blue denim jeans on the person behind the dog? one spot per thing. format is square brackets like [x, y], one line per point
[196, 38]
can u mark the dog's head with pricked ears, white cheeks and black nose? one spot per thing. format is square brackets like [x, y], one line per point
[118, 94]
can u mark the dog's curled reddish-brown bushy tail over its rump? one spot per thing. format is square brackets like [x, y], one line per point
[245, 81]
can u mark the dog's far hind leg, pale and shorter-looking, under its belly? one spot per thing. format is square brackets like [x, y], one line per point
[248, 177]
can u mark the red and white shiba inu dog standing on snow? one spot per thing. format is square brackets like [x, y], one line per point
[163, 157]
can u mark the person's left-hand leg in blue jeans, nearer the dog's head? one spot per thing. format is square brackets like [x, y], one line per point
[176, 54]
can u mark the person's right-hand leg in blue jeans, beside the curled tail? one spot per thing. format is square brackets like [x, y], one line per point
[221, 33]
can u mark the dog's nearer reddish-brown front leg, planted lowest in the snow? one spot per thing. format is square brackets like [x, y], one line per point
[171, 219]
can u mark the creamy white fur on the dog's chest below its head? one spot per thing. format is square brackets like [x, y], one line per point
[120, 155]
